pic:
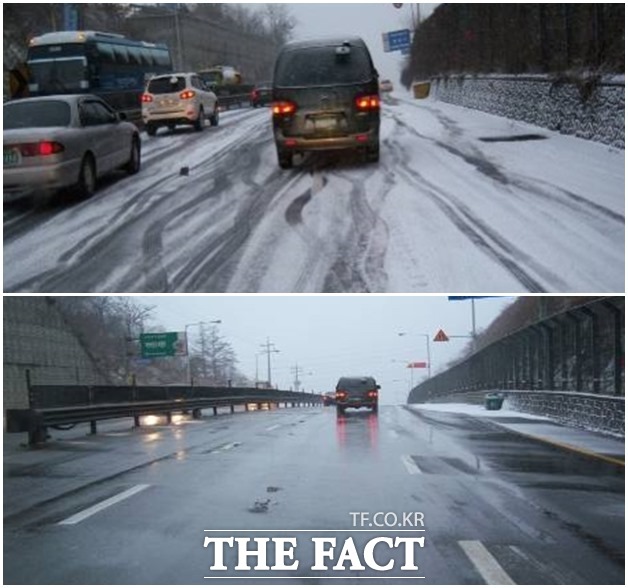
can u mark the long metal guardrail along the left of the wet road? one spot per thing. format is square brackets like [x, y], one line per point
[51, 406]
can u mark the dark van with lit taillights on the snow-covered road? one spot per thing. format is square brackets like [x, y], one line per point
[325, 97]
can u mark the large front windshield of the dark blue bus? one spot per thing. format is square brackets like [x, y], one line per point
[58, 76]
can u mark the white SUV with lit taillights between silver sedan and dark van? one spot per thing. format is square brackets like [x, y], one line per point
[178, 99]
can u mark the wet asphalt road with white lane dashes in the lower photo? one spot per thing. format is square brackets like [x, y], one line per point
[495, 506]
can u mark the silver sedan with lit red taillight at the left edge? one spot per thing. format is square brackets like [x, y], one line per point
[57, 142]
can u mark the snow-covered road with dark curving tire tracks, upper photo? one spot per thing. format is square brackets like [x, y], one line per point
[461, 202]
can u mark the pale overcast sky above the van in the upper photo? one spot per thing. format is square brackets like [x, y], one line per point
[367, 20]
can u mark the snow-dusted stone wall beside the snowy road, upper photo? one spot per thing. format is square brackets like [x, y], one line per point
[592, 110]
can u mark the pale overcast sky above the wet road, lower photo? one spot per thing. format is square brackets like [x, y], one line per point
[332, 336]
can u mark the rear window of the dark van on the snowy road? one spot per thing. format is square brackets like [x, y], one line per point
[322, 66]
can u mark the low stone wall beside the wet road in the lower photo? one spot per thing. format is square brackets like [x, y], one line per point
[587, 411]
